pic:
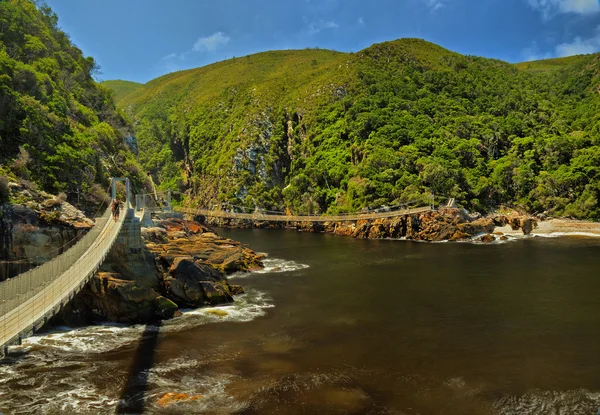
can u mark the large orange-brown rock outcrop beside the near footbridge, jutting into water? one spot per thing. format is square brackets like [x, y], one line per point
[184, 265]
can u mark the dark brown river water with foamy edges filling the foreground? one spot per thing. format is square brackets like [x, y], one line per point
[339, 325]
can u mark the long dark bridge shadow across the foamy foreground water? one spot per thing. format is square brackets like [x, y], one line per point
[132, 400]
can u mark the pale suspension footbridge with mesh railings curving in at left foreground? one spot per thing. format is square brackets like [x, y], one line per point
[36, 294]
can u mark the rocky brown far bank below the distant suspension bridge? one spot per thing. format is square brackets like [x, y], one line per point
[446, 224]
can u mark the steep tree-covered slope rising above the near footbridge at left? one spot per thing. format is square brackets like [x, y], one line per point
[59, 128]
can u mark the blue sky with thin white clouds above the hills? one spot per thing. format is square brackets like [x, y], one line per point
[139, 40]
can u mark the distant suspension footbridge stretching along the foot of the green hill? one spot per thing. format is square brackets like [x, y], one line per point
[302, 218]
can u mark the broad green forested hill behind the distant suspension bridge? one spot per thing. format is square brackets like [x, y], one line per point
[322, 131]
